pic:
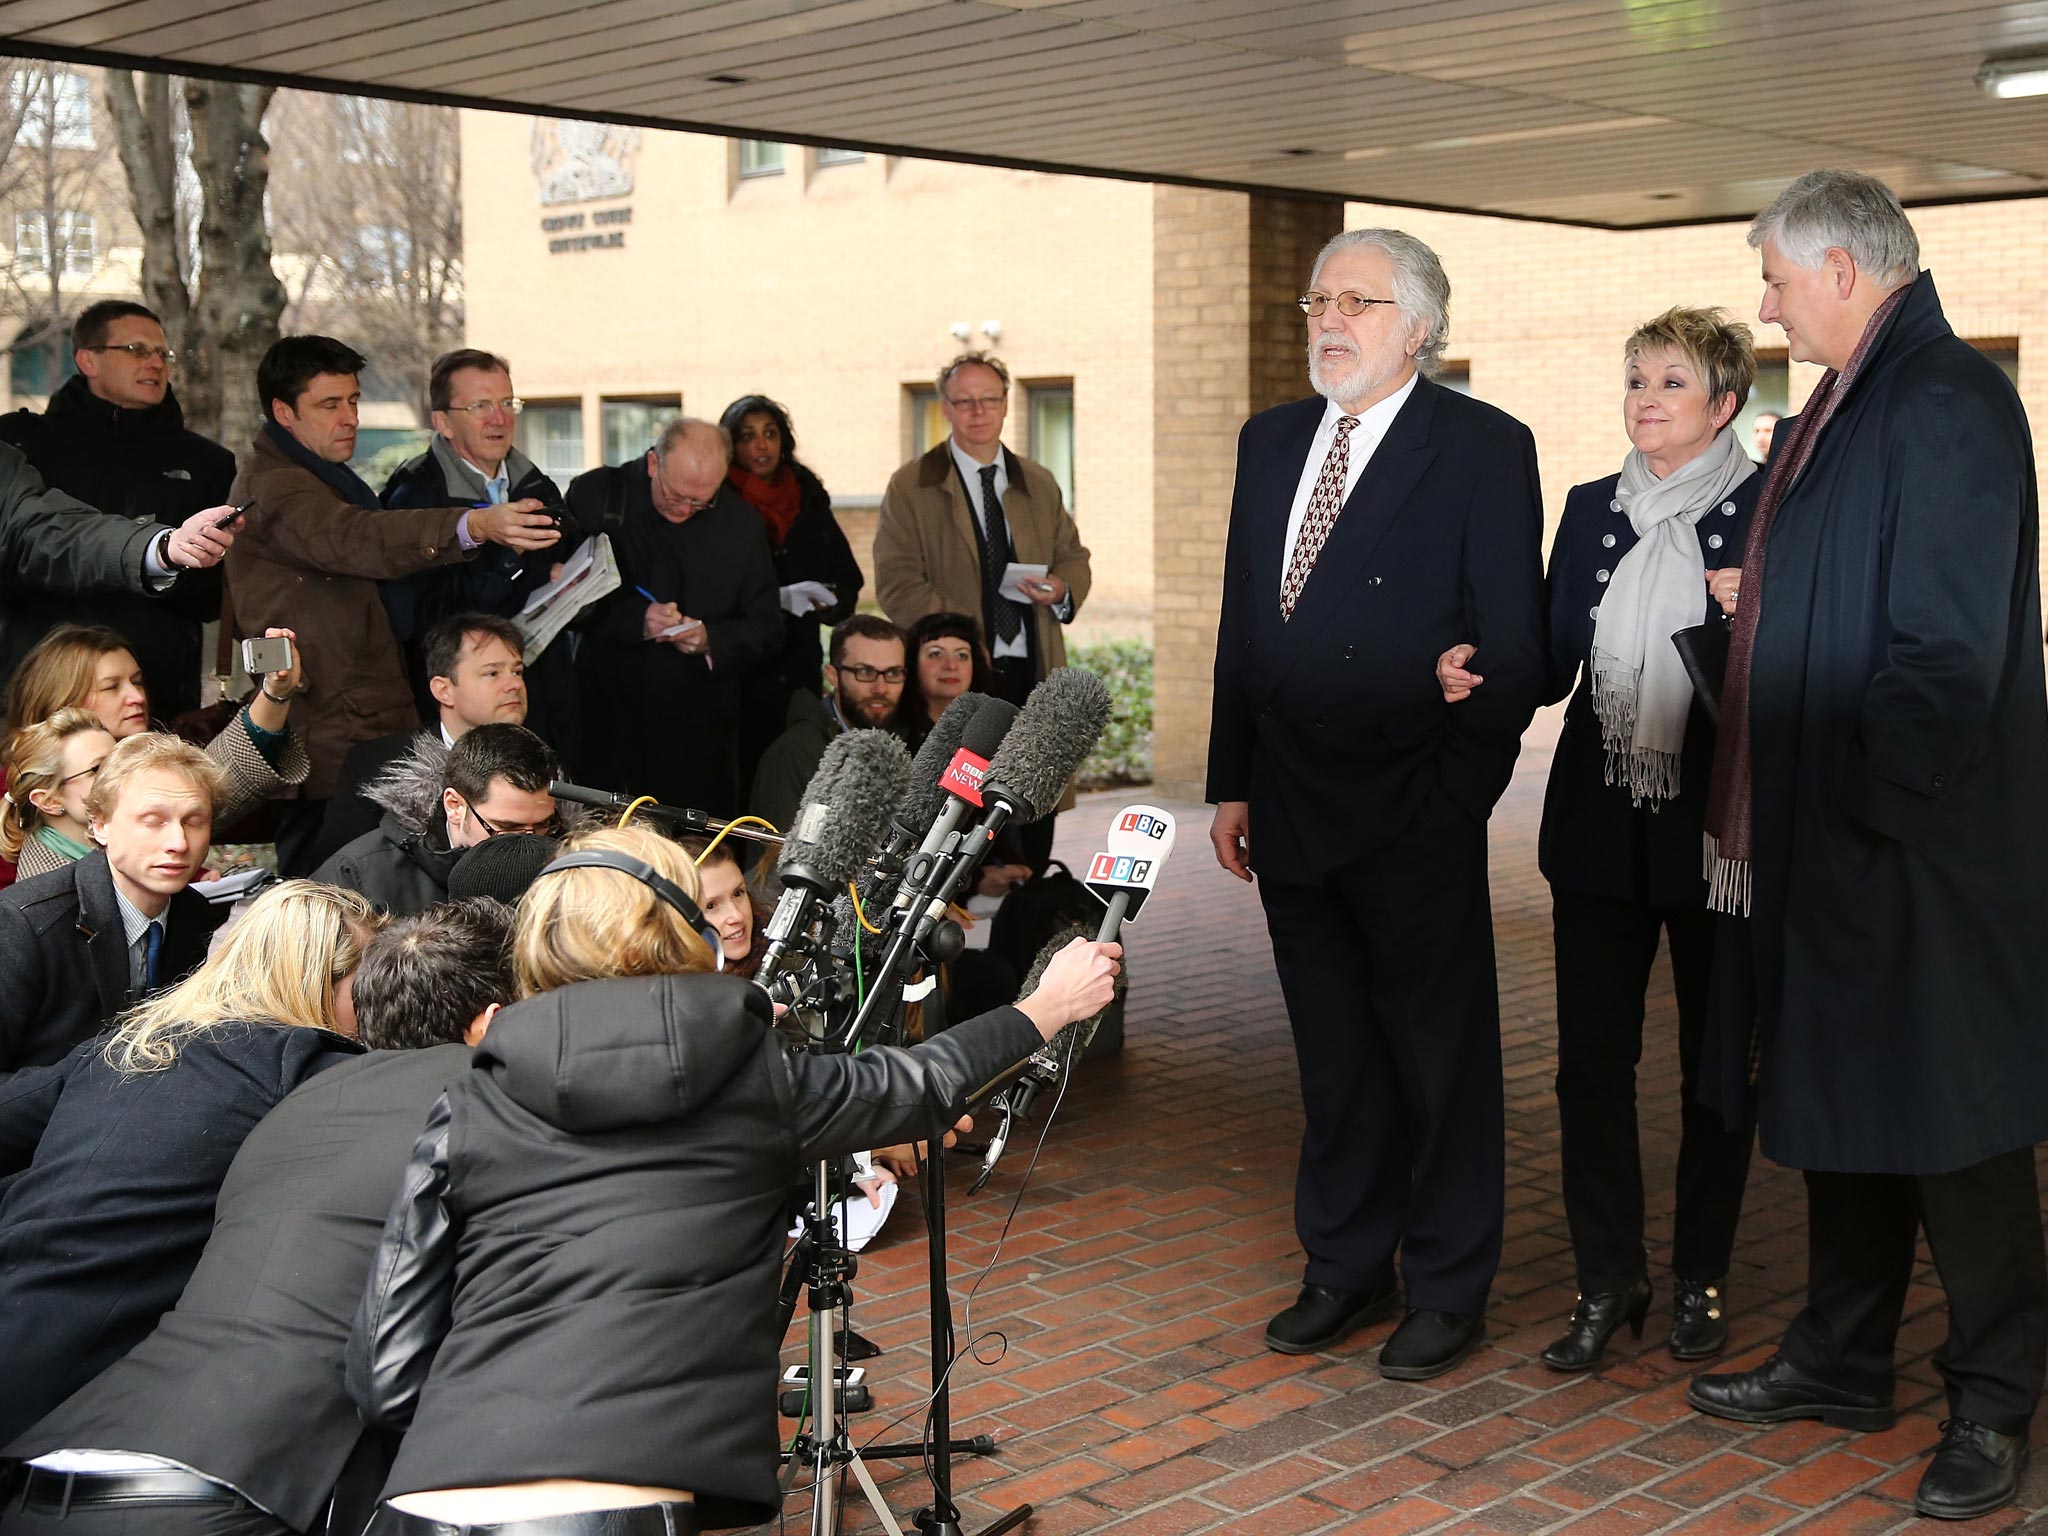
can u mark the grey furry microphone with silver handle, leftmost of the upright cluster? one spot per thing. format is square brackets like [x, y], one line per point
[839, 822]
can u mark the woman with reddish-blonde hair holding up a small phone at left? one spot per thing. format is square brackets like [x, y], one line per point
[87, 667]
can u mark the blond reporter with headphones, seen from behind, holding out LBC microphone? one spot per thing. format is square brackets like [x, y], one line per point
[574, 1304]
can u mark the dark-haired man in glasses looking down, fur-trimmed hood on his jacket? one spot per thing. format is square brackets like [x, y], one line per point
[441, 802]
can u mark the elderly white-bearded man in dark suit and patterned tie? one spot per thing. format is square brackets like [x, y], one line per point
[1373, 527]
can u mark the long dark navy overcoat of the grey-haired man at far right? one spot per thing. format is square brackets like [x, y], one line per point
[1900, 744]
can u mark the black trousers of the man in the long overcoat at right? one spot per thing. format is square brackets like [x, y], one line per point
[1986, 1232]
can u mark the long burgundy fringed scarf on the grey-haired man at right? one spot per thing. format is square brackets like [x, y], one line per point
[1730, 796]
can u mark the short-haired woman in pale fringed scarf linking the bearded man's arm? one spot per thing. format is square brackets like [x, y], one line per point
[1633, 562]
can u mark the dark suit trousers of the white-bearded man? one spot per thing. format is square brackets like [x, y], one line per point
[1388, 970]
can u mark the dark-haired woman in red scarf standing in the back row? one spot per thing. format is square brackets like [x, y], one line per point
[810, 552]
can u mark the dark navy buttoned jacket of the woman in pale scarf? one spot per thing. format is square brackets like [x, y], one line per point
[1594, 841]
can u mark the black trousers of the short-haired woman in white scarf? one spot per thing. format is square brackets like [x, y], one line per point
[1605, 957]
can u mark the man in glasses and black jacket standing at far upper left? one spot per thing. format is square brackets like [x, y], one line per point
[116, 439]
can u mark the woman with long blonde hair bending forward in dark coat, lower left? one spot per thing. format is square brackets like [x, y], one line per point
[120, 1150]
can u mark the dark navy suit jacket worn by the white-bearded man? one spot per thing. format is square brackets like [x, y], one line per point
[1332, 722]
